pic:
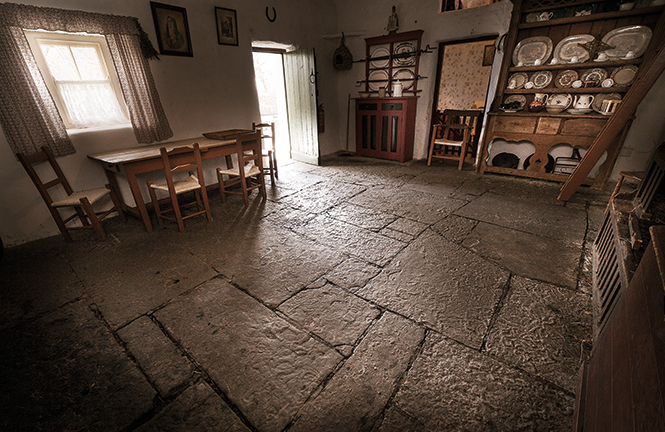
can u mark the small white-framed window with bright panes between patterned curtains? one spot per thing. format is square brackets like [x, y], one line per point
[79, 74]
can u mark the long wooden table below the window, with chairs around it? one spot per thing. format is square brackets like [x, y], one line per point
[140, 160]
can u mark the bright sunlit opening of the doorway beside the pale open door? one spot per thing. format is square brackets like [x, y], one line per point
[269, 73]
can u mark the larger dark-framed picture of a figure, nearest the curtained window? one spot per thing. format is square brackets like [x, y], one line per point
[172, 29]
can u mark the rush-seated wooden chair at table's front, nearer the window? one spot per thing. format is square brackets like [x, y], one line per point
[175, 161]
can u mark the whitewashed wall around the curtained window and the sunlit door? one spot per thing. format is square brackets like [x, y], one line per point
[213, 90]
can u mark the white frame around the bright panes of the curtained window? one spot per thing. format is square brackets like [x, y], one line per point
[74, 39]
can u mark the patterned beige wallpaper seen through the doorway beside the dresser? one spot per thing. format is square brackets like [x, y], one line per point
[464, 79]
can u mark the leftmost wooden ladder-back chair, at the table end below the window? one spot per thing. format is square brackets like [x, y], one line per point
[80, 201]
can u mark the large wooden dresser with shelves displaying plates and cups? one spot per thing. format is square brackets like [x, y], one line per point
[546, 137]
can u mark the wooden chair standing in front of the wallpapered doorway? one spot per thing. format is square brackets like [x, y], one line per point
[453, 138]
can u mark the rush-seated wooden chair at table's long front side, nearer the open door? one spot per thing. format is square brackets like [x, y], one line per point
[249, 172]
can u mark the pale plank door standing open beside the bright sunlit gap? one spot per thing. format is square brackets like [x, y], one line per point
[301, 106]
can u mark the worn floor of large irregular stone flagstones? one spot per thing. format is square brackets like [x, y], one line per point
[363, 295]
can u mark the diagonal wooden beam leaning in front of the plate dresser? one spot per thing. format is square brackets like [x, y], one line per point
[652, 68]
